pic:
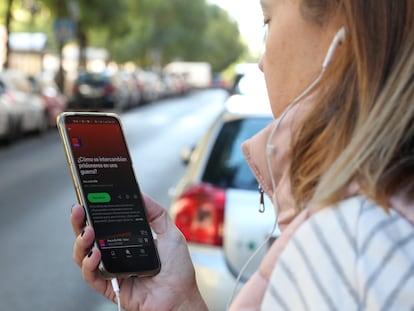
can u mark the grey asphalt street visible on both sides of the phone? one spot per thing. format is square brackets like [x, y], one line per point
[36, 195]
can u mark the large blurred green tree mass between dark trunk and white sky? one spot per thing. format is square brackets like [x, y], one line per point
[162, 31]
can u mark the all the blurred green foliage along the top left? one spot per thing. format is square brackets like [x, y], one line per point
[147, 32]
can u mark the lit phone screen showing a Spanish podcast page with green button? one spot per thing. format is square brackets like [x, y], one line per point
[110, 187]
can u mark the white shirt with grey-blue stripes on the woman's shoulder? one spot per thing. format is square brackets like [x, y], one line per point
[351, 257]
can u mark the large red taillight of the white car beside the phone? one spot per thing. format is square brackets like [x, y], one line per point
[199, 214]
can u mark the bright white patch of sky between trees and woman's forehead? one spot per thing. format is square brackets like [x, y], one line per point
[248, 15]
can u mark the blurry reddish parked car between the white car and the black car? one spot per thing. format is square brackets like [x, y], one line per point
[53, 99]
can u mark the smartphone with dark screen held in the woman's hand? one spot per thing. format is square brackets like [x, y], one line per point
[106, 186]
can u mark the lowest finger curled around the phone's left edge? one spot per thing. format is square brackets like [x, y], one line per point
[90, 271]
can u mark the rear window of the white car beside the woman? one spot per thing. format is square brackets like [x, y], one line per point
[226, 167]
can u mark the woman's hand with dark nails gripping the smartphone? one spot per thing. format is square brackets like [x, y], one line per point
[174, 287]
